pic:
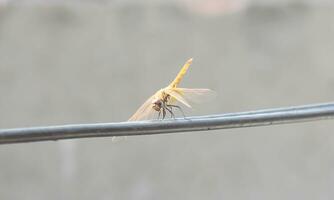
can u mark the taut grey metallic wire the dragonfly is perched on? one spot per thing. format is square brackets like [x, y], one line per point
[198, 123]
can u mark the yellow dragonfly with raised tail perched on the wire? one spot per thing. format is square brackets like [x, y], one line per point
[165, 99]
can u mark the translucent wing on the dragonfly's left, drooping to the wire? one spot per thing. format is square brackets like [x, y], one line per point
[144, 112]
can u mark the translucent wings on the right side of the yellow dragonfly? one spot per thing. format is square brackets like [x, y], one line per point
[187, 96]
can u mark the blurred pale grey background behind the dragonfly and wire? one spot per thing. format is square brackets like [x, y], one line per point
[86, 62]
